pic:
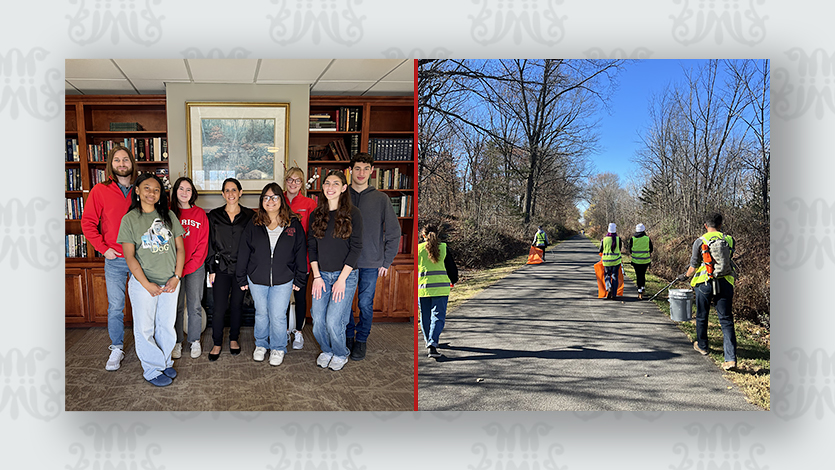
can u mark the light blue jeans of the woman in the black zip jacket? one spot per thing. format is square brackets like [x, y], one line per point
[271, 314]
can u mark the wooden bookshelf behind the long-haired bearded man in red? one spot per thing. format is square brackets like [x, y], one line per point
[87, 119]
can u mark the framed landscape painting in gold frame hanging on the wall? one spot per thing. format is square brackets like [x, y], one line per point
[246, 141]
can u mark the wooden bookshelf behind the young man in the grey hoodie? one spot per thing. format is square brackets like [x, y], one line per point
[390, 118]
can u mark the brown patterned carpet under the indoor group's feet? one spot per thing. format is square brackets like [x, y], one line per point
[383, 381]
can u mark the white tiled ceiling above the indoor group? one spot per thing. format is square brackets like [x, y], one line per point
[366, 77]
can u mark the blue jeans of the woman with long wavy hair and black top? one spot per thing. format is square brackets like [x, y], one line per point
[329, 317]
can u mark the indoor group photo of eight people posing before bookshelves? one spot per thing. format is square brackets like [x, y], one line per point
[239, 235]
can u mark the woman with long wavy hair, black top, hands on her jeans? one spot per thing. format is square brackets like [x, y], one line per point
[334, 245]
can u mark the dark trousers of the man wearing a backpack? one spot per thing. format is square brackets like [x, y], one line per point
[724, 299]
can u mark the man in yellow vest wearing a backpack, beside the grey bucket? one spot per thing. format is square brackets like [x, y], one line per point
[705, 295]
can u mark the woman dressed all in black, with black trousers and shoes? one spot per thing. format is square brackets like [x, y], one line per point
[226, 224]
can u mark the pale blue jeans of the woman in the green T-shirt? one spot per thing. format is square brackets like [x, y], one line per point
[153, 328]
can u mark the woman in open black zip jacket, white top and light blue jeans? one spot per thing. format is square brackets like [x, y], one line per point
[272, 263]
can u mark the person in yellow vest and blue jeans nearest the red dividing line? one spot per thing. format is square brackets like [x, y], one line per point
[436, 273]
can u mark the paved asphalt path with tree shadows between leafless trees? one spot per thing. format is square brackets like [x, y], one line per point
[540, 339]
